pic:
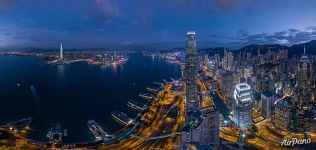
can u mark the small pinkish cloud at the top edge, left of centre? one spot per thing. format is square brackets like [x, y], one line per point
[107, 9]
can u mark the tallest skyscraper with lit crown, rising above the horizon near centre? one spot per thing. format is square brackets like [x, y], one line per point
[190, 72]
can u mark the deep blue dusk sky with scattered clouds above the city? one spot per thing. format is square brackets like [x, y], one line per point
[154, 23]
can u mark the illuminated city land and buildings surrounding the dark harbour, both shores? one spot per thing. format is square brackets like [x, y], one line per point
[240, 99]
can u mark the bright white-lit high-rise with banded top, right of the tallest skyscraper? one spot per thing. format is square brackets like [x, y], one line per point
[242, 106]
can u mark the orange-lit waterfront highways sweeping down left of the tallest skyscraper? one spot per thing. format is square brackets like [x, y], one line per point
[158, 131]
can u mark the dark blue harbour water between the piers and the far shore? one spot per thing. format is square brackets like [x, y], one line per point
[73, 94]
